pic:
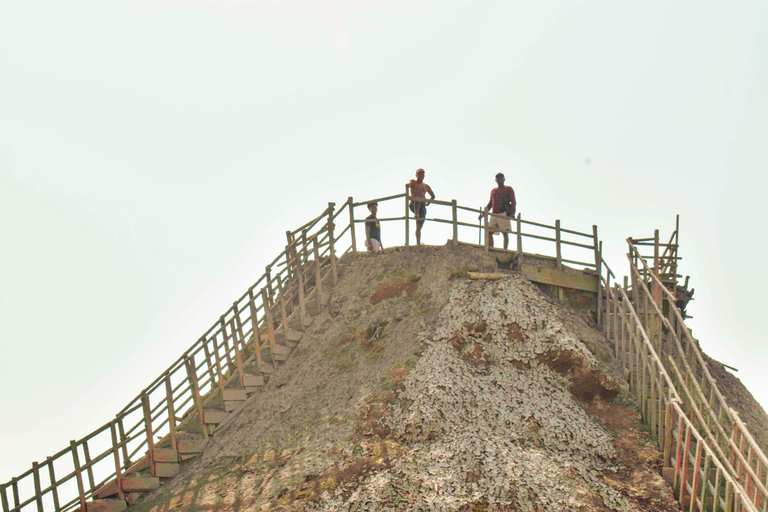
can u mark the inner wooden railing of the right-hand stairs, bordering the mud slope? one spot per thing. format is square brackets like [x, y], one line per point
[700, 478]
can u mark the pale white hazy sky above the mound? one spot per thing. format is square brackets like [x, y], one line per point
[153, 154]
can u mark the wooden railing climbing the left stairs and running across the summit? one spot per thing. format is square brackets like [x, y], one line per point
[175, 401]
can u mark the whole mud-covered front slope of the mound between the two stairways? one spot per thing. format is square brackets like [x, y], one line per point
[417, 388]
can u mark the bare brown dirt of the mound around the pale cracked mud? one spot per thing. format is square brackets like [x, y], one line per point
[318, 424]
